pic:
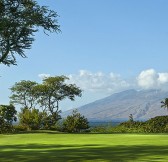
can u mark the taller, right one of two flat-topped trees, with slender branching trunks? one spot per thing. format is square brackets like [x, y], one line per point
[53, 90]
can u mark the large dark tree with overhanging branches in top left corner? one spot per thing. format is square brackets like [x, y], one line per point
[19, 21]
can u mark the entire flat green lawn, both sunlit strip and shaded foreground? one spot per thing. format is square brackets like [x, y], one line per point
[51, 147]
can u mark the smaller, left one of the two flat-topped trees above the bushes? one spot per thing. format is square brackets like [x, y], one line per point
[23, 93]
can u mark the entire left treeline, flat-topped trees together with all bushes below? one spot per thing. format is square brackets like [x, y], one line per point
[40, 106]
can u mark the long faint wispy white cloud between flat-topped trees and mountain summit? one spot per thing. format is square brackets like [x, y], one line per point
[98, 82]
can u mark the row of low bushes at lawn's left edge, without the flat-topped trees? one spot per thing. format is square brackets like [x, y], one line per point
[33, 119]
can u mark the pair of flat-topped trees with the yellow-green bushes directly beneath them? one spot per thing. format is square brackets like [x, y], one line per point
[47, 96]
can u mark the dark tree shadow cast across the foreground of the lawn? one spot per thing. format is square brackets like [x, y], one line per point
[63, 153]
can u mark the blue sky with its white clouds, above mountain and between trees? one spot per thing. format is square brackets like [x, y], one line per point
[105, 46]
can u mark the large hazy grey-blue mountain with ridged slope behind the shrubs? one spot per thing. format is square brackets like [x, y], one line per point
[142, 105]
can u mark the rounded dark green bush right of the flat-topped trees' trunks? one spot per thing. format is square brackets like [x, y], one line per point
[75, 122]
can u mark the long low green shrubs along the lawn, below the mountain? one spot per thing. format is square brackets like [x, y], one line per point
[158, 124]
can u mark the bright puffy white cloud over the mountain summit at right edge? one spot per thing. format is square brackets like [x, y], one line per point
[151, 79]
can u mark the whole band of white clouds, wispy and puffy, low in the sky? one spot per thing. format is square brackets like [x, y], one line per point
[109, 83]
